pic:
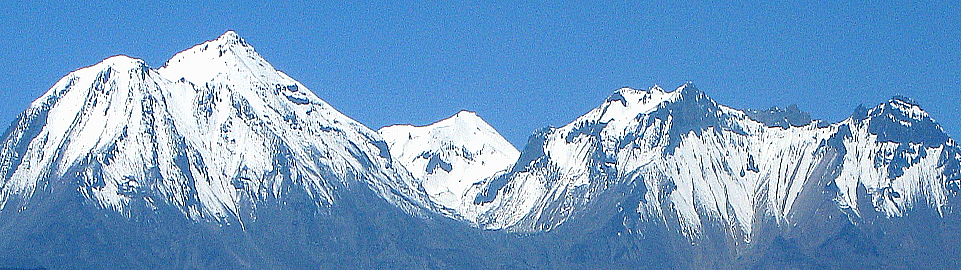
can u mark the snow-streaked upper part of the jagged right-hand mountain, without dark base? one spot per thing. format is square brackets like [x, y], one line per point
[695, 162]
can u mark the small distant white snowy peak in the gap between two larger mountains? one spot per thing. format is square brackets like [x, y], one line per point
[450, 155]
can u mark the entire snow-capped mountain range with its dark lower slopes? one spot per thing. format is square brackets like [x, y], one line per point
[220, 147]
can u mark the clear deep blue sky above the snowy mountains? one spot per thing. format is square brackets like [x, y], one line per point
[521, 66]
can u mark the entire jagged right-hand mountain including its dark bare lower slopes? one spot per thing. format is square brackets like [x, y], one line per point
[655, 170]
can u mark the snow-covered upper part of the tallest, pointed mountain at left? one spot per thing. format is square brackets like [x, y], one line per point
[212, 134]
